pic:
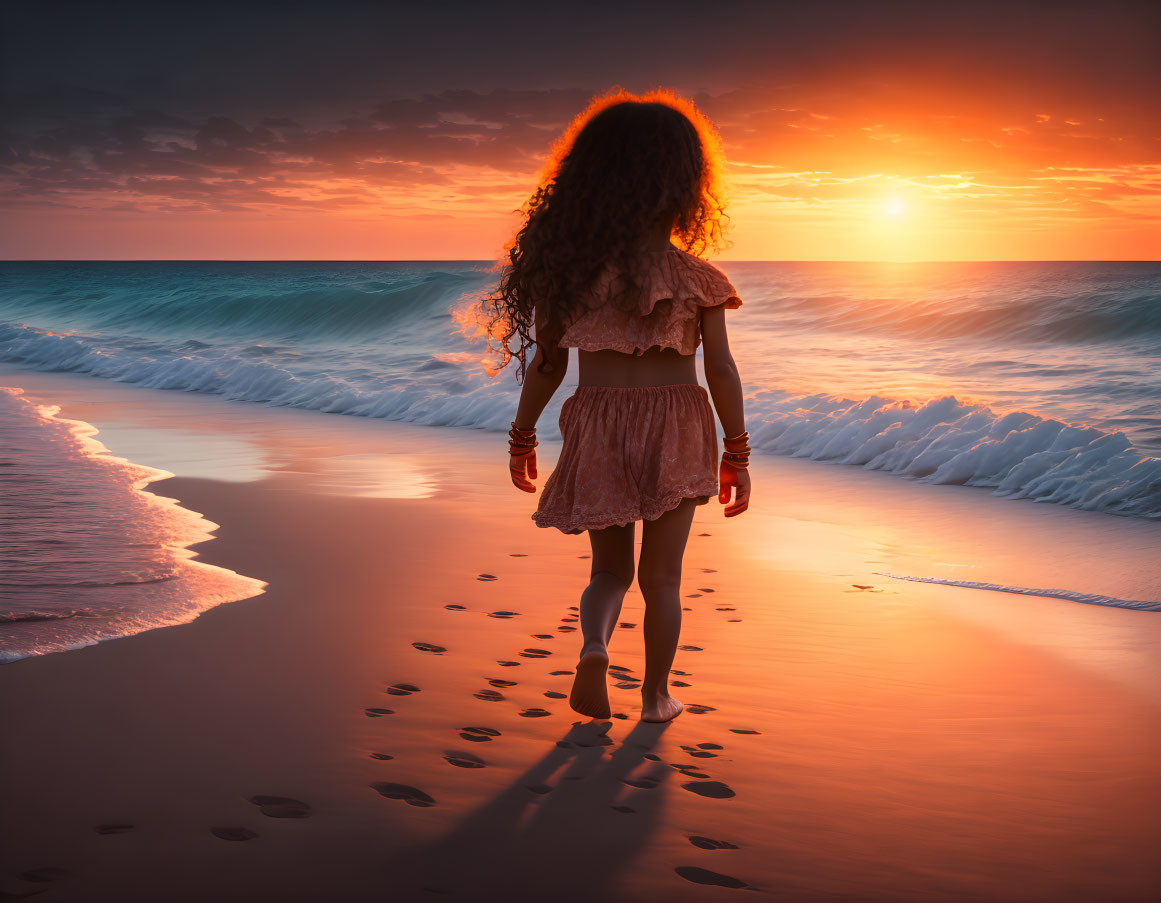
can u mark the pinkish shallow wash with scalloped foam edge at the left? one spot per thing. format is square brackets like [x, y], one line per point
[88, 554]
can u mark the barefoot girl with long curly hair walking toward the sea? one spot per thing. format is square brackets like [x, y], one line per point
[595, 269]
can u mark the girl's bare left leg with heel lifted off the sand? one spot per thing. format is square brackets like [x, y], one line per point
[601, 606]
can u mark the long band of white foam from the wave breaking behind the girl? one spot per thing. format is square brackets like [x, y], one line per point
[1016, 454]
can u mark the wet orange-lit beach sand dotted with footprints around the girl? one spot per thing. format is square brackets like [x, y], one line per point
[402, 681]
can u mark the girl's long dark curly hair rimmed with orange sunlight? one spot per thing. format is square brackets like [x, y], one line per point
[625, 167]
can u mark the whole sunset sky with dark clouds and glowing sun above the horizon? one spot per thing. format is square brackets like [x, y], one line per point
[386, 132]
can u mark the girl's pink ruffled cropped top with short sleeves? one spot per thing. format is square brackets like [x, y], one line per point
[677, 287]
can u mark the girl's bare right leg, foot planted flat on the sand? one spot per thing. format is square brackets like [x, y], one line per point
[660, 577]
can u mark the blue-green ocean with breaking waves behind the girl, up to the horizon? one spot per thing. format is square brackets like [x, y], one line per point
[1035, 380]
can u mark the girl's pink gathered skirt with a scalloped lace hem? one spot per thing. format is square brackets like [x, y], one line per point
[631, 453]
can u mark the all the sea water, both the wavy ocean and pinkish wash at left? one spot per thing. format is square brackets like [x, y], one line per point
[1030, 380]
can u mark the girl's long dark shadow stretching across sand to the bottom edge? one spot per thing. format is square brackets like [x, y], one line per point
[567, 841]
